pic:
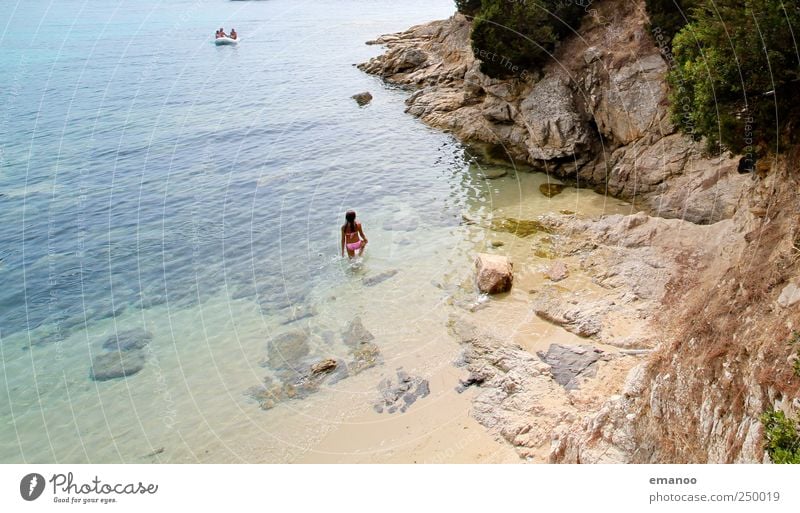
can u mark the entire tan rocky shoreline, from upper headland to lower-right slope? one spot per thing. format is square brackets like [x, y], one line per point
[642, 388]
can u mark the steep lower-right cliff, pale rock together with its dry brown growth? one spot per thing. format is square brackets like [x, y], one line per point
[726, 354]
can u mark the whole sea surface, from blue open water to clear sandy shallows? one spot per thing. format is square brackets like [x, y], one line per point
[152, 181]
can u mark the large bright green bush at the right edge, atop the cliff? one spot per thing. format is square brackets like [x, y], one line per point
[735, 74]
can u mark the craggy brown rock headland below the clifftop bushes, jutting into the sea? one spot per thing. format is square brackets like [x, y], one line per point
[596, 114]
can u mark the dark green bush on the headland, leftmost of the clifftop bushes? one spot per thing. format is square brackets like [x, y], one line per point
[511, 37]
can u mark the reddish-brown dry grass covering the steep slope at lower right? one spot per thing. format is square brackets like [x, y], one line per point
[729, 360]
